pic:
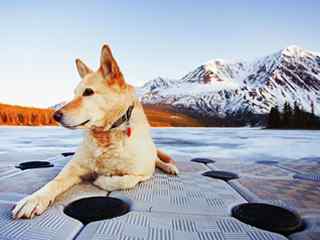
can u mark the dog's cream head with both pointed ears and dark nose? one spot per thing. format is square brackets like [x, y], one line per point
[101, 97]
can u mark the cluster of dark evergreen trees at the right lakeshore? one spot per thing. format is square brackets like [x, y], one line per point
[292, 118]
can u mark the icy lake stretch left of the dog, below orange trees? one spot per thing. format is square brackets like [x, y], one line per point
[19, 144]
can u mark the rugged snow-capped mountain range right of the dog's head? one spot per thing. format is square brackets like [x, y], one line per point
[222, 88]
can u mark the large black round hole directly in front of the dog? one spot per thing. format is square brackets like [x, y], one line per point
[92, 209]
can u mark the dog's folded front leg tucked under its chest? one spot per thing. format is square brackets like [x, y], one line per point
[118, 182]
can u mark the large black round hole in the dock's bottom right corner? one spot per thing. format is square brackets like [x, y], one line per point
[268, 217]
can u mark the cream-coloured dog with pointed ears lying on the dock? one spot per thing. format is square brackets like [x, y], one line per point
[117, 151]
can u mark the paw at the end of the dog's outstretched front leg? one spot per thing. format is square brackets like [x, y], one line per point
[30, 206]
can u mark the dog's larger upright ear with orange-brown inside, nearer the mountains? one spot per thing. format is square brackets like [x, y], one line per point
[109, 67]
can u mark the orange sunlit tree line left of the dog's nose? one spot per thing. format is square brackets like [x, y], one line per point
[27, 116]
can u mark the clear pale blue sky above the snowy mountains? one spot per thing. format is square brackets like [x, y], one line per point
[39, 40]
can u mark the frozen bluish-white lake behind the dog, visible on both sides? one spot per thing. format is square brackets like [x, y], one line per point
[31, 143]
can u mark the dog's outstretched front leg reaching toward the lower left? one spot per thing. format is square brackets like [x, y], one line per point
[39, 201]
